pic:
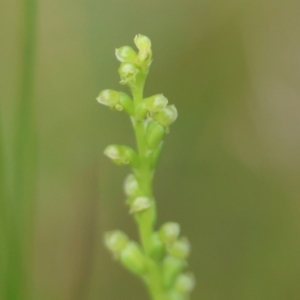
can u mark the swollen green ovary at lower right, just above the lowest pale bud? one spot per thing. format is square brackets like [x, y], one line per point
[171, 268]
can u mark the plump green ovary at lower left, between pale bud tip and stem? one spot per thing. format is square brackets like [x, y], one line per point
[133, 259]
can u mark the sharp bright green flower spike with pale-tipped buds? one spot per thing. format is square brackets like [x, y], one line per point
[161, 258]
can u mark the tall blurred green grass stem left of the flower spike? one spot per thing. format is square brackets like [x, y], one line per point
[23, 202]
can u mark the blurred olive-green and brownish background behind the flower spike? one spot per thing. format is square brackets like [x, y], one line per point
[230, 169]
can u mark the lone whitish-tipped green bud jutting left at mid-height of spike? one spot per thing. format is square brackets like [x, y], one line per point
[121, 155]
